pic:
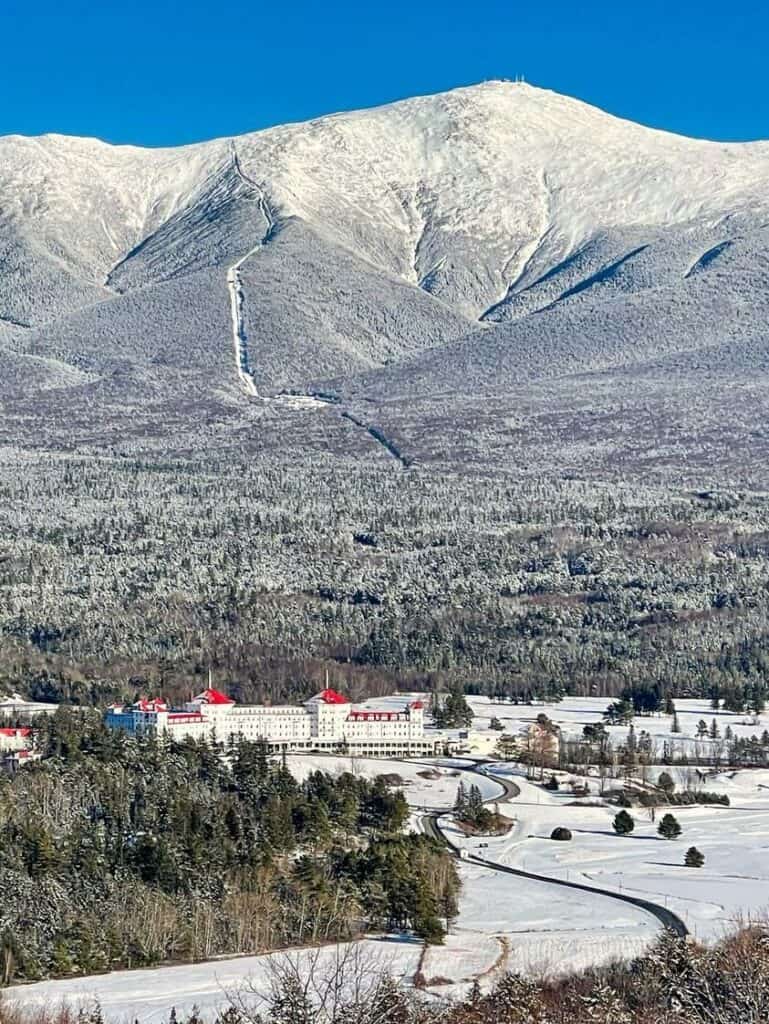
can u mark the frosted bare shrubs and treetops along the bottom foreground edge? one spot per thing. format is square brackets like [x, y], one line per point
[676, 983]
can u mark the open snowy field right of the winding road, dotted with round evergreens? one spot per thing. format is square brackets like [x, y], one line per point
[733, 886]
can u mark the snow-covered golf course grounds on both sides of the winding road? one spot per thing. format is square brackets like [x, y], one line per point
[508, 923]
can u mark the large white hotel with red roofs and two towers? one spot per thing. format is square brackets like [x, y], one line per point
[326, 722]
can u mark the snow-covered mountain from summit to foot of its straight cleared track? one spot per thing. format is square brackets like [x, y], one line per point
[493, 231]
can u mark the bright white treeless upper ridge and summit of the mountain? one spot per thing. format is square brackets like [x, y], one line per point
[468, 193]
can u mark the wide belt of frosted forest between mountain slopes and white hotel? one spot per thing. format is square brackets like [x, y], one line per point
[119, 576]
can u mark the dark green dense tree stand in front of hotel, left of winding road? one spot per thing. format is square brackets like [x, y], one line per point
[122, 852]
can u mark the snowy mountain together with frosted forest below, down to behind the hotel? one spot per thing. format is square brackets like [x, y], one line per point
[473, 385]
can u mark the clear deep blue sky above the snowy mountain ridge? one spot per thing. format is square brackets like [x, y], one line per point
[167, 73]
